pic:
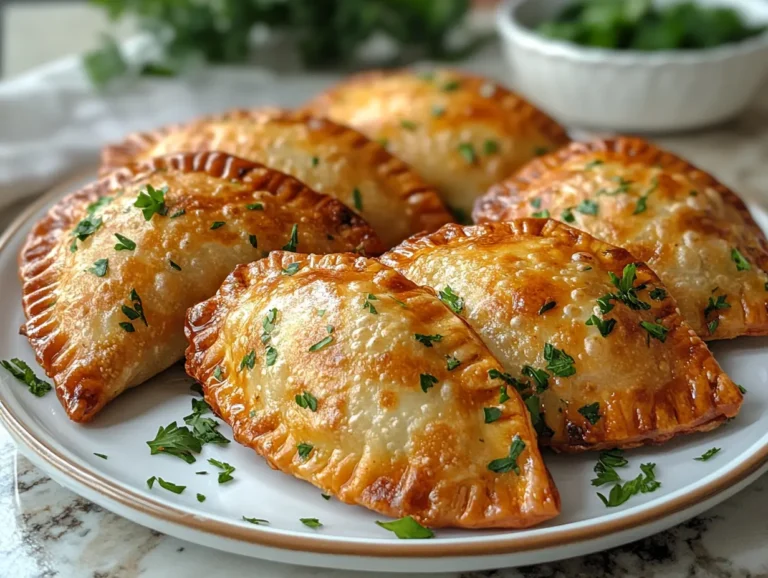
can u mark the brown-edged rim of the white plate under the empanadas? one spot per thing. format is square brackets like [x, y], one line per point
[128, 498]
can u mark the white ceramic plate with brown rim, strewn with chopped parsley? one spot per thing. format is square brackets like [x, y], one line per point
[349, 538]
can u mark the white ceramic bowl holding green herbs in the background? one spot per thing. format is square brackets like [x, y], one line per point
[632, 91]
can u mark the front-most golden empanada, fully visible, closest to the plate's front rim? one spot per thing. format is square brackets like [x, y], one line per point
[343, 373]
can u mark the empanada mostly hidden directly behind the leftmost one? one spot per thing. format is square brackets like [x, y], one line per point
[328, 157]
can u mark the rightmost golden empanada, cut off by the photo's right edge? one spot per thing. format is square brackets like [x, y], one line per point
[695, 233]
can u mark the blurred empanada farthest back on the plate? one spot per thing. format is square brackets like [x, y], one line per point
[462, 133]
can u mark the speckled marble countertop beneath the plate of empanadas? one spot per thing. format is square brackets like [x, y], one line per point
[46, 530]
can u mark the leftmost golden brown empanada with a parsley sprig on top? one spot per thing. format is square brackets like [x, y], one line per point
[109, 273]
